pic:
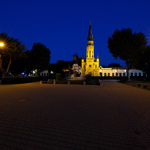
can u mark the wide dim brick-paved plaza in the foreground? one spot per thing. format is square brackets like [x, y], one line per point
[36, 116]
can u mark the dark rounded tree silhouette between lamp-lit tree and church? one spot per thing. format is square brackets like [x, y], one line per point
[39, 57]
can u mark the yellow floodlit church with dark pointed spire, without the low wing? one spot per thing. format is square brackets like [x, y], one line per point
[90, 65]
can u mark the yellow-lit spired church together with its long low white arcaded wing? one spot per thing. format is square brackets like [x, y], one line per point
[90, 65]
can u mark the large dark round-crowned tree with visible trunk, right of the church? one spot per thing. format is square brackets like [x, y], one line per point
[127, 46]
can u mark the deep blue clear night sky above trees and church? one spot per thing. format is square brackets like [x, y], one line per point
[62, 25]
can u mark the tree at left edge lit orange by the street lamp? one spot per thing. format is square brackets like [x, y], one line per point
[12, 49]
